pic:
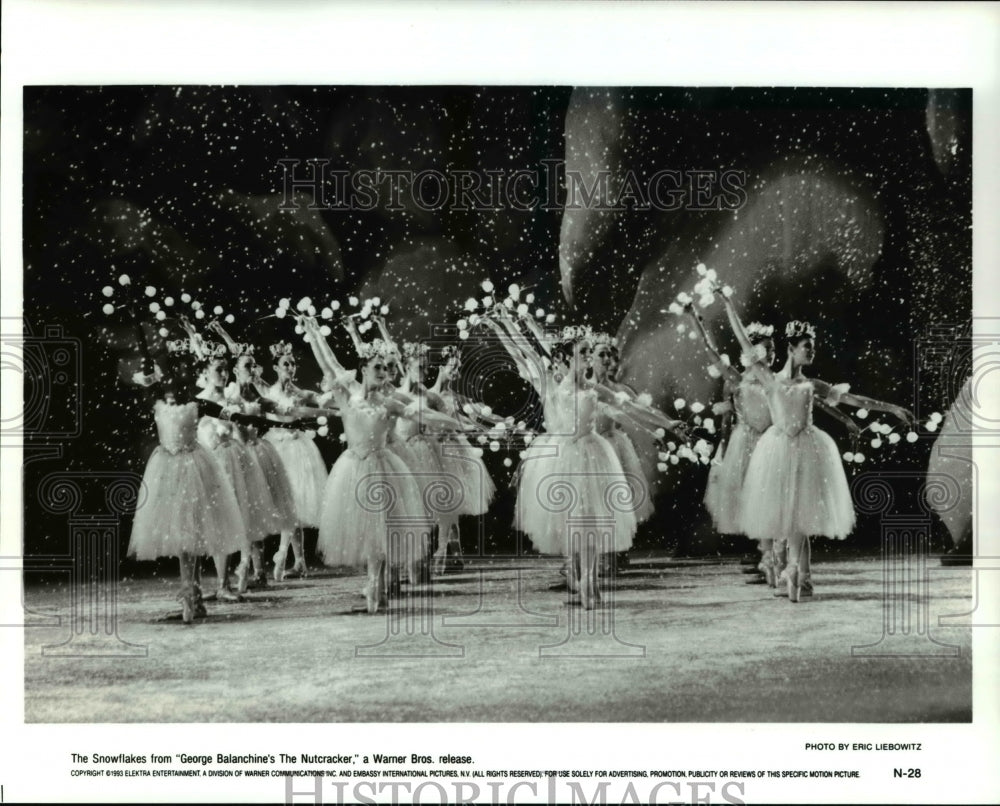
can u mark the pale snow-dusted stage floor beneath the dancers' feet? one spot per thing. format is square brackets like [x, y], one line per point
[678, 641]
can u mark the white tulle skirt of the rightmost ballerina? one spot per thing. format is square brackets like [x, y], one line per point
[795, 485]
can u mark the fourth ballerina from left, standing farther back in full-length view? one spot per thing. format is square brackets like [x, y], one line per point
[304, 466]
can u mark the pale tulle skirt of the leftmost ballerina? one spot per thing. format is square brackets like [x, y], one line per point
[189, 506]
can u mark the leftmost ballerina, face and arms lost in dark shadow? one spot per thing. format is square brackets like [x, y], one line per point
[190, 509]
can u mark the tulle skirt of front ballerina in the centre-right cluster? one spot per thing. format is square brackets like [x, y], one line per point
[564, 478]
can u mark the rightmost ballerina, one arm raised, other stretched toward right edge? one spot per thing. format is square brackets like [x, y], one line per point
[795, 486]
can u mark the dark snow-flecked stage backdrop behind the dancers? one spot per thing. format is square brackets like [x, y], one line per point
[854, 213]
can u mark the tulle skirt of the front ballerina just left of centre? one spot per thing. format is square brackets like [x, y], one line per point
[361, 495]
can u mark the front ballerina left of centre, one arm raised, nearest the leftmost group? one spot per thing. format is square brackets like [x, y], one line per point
[350, 533]
